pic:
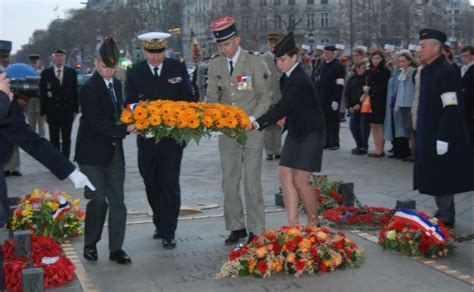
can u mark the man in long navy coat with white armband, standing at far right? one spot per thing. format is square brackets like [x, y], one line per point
[443, 165]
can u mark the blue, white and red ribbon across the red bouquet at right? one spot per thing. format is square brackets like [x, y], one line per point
[417, 221]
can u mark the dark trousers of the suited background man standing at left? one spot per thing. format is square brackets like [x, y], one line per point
[61, 128]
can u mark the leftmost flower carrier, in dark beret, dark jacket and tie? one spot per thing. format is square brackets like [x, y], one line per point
[99, 153]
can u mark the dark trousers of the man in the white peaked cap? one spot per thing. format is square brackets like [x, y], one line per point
[160, 165]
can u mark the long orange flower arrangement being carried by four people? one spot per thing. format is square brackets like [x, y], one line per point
[186, 121]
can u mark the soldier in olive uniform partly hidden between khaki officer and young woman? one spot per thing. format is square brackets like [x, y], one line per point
[272, 134]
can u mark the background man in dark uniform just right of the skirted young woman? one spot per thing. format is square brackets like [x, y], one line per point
[330, 84]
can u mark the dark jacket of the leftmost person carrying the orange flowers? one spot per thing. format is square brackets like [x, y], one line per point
[99, 132]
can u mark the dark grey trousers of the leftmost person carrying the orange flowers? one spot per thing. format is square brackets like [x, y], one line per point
[109, 191]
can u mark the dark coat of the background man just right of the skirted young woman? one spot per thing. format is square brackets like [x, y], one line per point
[328, 89]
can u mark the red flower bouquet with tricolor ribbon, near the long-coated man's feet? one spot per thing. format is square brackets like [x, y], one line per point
[415, 234]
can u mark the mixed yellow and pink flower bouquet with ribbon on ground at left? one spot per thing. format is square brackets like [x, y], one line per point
[51, 214]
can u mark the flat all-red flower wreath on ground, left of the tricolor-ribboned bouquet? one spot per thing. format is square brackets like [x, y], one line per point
[365, 218]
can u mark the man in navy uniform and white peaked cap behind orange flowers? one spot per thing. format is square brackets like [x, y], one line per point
[159, 163]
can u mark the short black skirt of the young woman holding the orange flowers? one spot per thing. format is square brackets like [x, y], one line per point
[304, 153]
